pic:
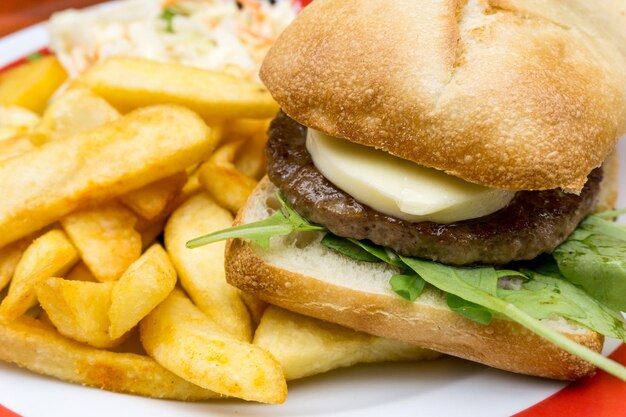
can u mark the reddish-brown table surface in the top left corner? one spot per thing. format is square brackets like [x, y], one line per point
[18, 14]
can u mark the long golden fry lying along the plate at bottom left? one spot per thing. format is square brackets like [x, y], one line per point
[33, 346]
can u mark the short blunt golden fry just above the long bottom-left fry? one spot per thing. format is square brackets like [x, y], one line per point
[78, 309]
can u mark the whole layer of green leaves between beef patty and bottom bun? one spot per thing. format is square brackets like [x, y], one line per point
[594, 257]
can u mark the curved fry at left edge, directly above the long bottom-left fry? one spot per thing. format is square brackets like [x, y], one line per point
[49, 255]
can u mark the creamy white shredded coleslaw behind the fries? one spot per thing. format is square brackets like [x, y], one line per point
[221, 35]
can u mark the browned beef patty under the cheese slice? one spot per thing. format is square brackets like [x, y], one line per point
[534, 222]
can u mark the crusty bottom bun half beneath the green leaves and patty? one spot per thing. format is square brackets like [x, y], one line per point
[299, 274]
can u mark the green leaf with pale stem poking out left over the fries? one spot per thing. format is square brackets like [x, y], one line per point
[282, 223]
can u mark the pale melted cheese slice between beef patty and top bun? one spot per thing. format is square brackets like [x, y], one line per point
[398, 187]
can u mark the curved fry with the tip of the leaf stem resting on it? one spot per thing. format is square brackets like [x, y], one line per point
[201, 270]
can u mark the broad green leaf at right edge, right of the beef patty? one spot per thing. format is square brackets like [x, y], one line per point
[594, 257]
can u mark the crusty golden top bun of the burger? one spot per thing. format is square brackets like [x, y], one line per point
[514, 94]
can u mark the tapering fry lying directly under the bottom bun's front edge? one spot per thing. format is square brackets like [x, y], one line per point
[305, 346]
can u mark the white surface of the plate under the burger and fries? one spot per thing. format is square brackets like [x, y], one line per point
[444, 387]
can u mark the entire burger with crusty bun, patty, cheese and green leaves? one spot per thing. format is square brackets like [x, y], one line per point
[440, 173]
